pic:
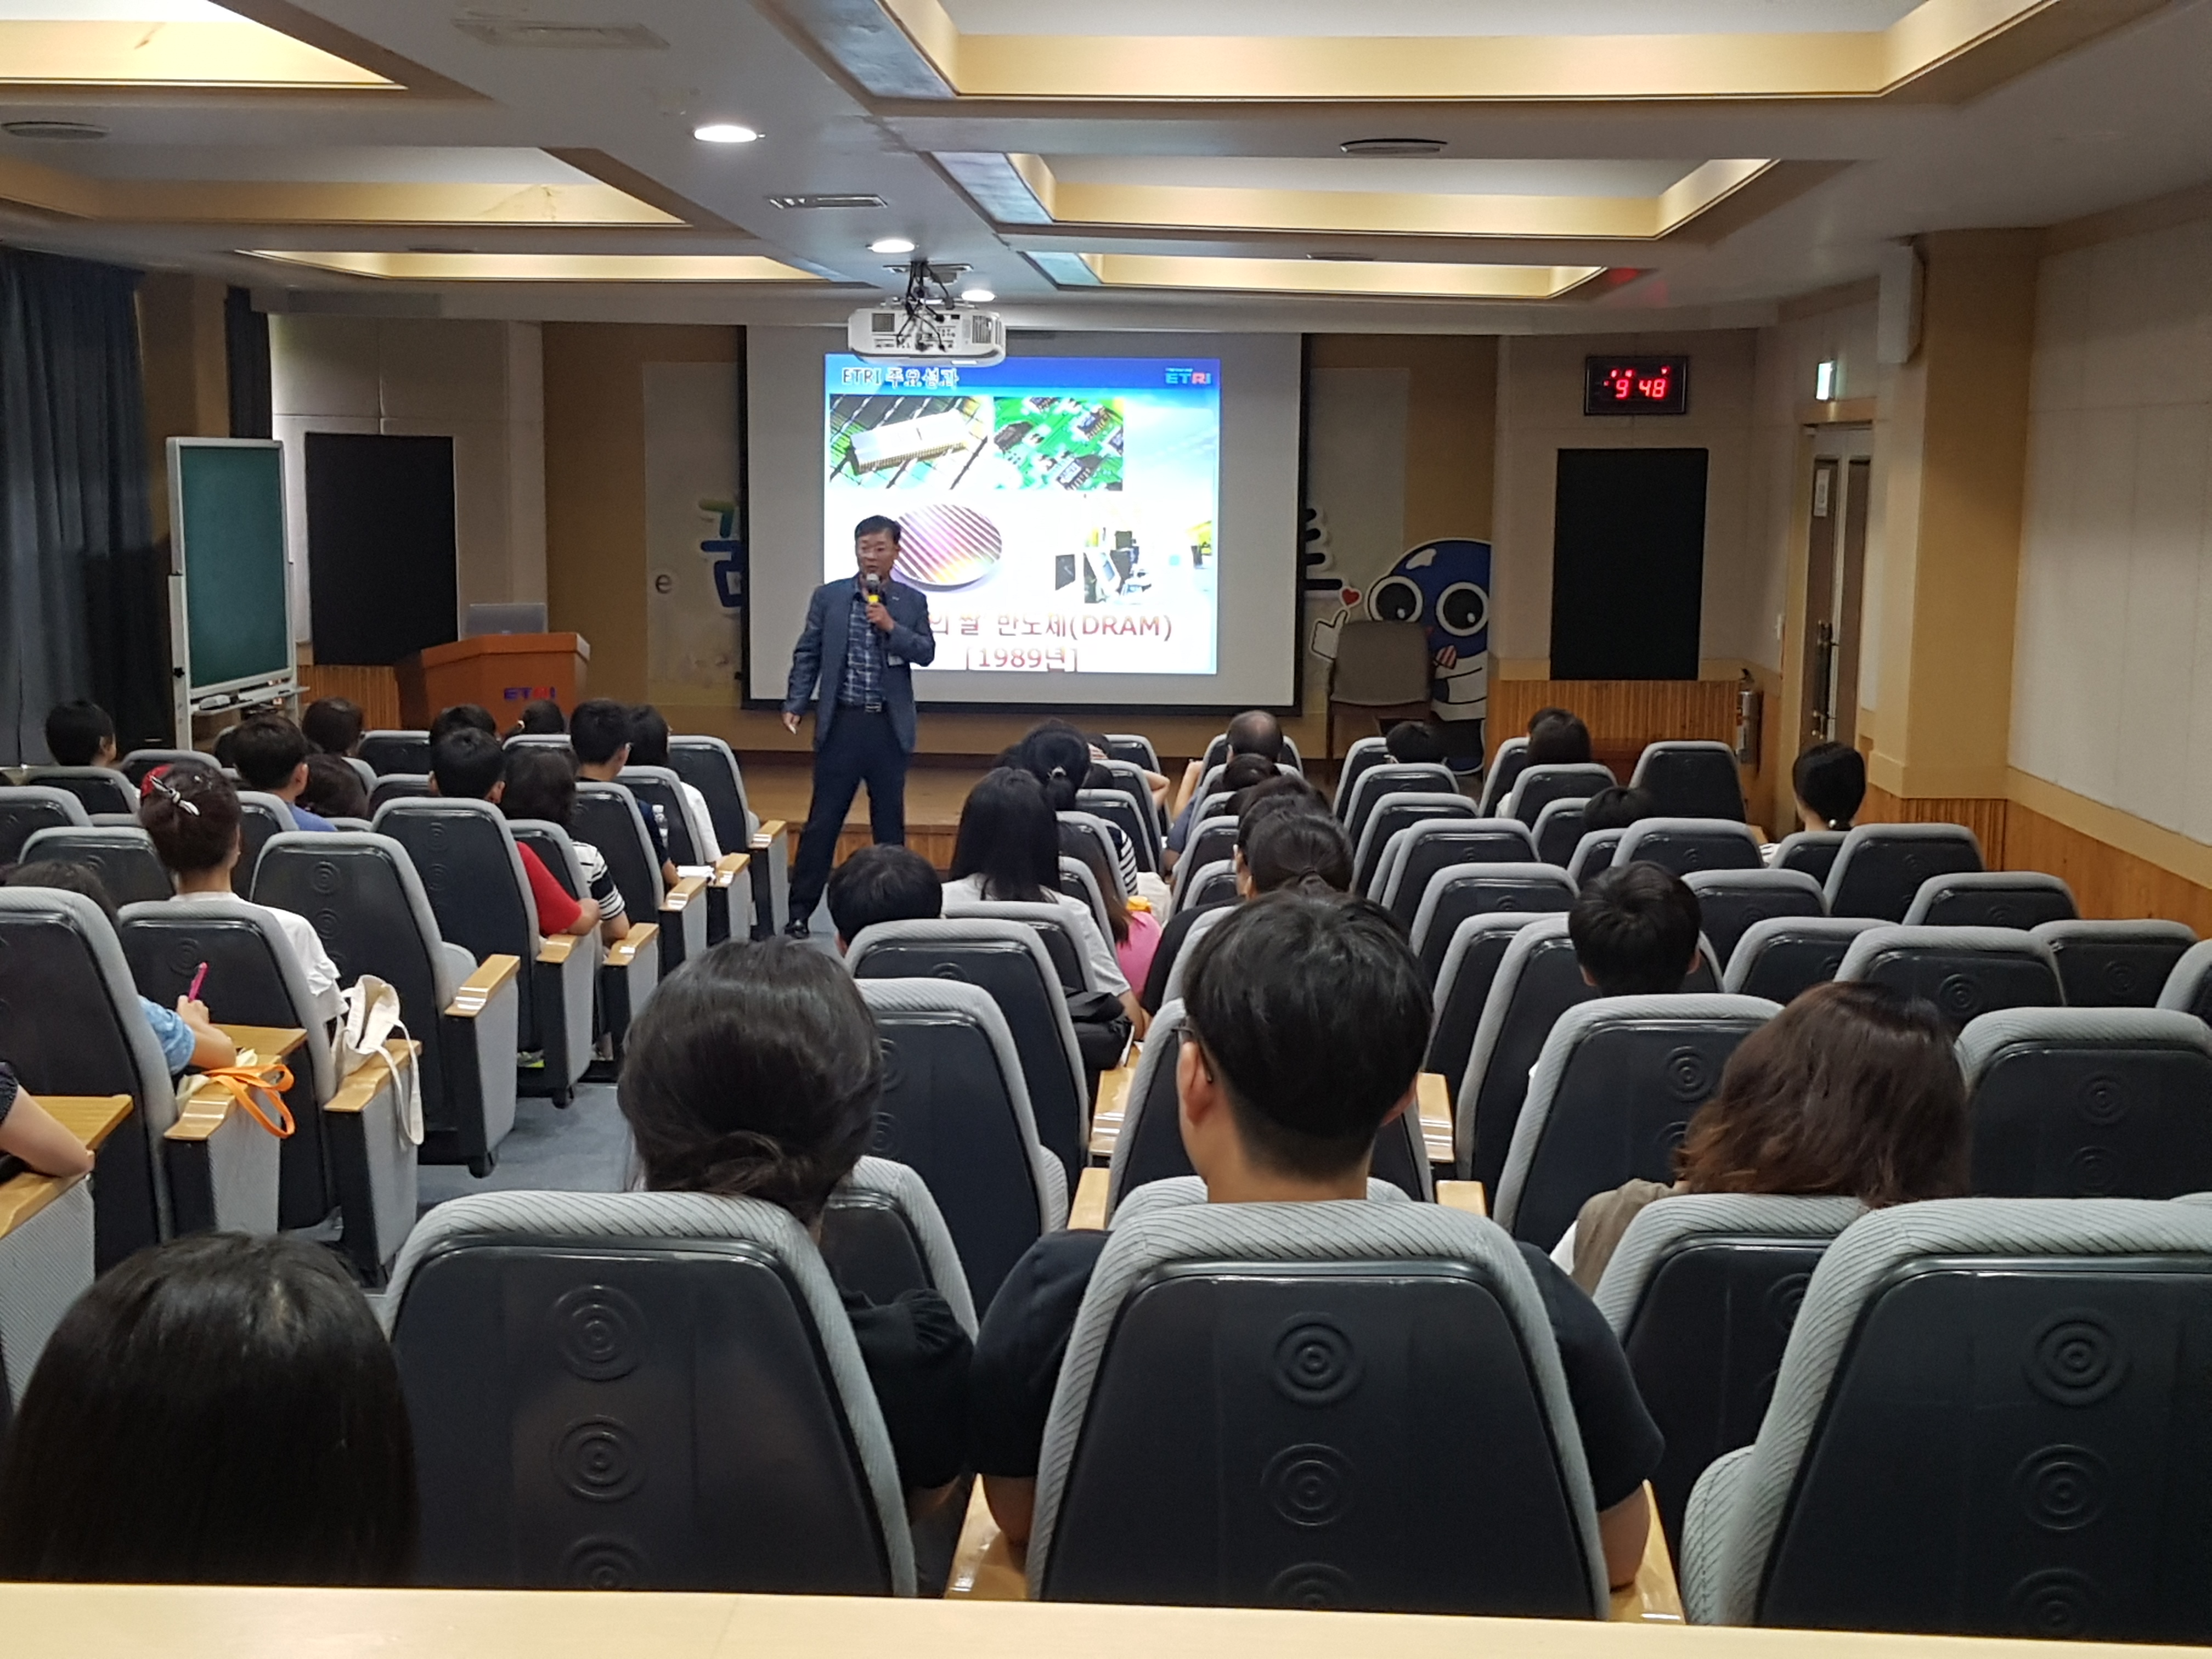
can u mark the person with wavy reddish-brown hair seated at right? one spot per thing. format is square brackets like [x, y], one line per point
[1853, 1089]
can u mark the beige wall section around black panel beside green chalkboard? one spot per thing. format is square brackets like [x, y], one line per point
[477, 384]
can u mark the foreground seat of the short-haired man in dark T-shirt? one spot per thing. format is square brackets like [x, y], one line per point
[1319, 1335]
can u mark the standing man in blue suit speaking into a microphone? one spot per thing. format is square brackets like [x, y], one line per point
[862, 643]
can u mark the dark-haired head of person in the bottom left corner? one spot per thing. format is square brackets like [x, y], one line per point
[218, 1410]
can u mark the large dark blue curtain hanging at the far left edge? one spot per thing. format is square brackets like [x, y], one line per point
[85, 605]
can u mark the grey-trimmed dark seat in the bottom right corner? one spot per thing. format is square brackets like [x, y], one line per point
[1990, 1421]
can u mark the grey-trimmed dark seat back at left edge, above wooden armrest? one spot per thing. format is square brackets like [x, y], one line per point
[72, 1025]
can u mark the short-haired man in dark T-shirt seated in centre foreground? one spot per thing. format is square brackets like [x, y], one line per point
[1306, 1025]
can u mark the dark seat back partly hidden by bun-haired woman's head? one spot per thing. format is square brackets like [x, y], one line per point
[957, 1112]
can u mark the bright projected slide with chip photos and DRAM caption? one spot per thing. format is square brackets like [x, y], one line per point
[1058, 512]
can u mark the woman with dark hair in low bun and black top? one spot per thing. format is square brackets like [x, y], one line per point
[755, 1074]
